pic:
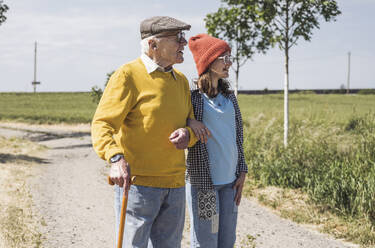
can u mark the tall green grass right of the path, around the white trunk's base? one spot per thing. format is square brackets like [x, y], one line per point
[334, 163]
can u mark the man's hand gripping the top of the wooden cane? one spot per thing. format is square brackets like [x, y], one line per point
[120, 174]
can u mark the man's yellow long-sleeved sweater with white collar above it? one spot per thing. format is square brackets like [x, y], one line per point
[135, 117]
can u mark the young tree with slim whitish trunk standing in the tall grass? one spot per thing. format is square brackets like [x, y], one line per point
[289, 20]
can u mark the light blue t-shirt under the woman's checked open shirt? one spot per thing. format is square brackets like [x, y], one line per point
[219, 118]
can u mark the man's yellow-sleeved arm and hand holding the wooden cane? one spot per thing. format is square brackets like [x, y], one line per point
[113, 108]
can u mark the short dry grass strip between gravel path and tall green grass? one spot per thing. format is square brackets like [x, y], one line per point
[296, 205]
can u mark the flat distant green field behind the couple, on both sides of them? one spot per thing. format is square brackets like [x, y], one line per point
[78, 107]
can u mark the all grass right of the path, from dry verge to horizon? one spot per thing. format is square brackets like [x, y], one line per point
[326, 175]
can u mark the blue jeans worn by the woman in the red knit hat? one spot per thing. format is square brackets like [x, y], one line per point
[220, 232]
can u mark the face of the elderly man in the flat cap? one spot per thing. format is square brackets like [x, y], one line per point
[170, 48]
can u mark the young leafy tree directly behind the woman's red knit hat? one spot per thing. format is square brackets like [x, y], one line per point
[237, 23]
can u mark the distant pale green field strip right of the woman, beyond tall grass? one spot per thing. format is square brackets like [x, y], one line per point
[326, 108]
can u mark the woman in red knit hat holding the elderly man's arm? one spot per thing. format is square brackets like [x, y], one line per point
[216, 169]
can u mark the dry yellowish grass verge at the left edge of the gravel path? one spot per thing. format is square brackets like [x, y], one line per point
[18, 224]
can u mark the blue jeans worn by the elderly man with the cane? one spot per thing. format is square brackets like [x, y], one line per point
[154, 216]
